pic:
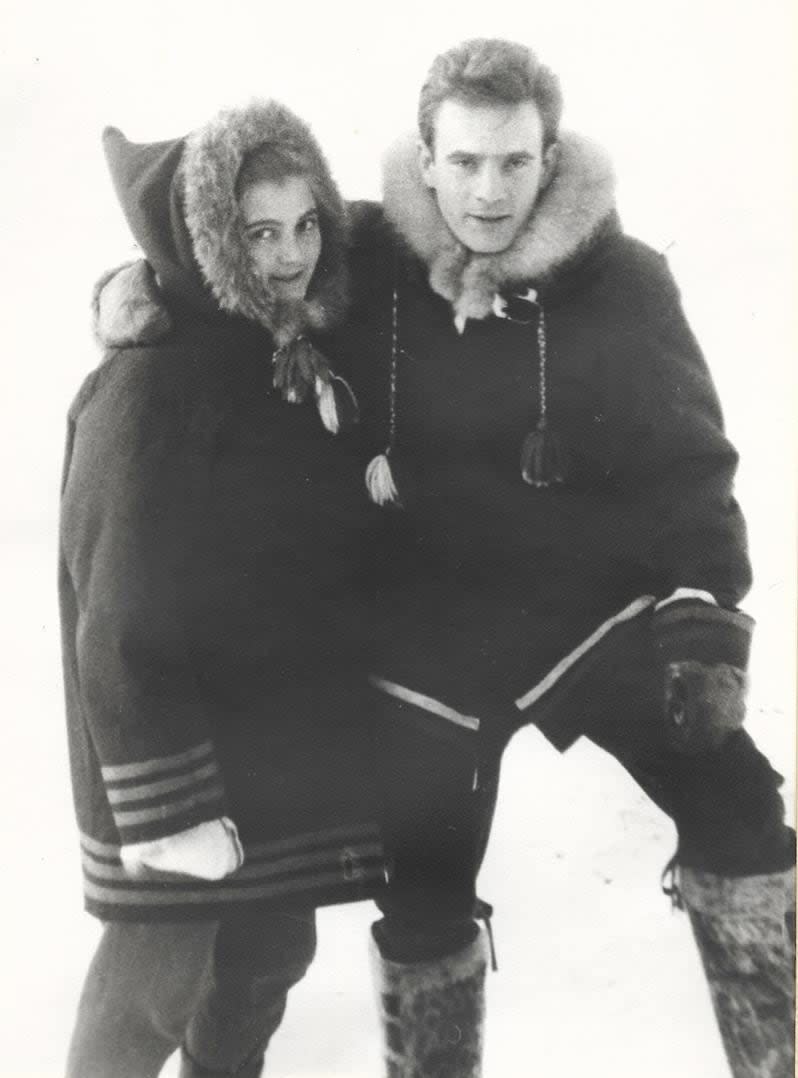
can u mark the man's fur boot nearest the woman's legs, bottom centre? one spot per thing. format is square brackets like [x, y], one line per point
[433, 1014]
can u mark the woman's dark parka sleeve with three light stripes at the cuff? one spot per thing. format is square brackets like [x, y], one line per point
[132, 514]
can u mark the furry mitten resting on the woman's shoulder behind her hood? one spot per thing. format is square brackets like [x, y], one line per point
[129, 309]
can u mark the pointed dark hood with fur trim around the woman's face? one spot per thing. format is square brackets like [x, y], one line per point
[181, 202]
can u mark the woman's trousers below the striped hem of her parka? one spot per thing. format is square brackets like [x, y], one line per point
[216, 988]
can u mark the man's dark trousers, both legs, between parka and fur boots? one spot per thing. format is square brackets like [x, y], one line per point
[726, 806]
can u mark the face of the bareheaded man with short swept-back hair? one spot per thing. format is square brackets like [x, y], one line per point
[487, 169]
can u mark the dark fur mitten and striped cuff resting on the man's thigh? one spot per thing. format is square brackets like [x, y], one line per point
[703, 655]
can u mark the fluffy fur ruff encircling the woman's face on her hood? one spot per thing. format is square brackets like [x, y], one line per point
[210, 170]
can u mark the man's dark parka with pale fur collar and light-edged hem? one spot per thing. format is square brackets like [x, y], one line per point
[490, 587]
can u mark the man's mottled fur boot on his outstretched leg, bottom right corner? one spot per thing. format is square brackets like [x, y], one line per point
[746, 933]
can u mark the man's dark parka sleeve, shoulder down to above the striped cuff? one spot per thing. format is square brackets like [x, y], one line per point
[672, 461]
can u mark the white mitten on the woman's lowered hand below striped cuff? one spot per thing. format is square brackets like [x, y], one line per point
[209, 851]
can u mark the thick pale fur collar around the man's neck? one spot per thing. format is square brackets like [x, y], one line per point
[569, 214]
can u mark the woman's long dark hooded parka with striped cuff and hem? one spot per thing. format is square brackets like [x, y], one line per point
[210, 554]
